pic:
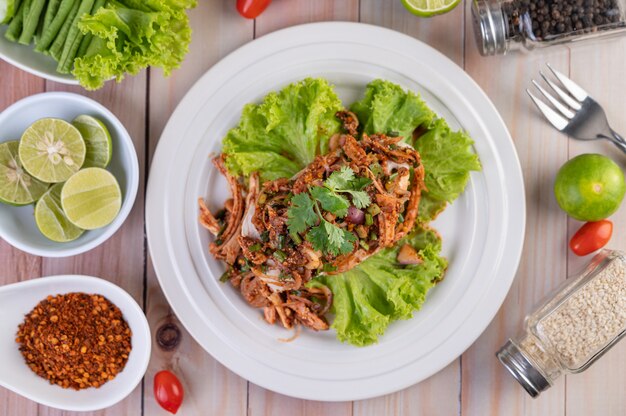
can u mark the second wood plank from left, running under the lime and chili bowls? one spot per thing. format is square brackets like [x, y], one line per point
[121, 258]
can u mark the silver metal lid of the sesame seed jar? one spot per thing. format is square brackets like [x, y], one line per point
[522, 369]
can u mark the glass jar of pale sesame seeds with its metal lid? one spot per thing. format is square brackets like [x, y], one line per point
[573, 327]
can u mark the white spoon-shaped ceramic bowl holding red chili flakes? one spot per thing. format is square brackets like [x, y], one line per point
[18, 299]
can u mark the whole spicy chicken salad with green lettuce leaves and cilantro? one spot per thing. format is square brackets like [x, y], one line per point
[330, 206]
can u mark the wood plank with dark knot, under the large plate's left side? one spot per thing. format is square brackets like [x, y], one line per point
[211, 389]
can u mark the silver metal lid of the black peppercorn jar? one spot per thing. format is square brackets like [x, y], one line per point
[489, 27]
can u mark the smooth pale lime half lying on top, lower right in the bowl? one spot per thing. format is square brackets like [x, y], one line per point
[91, 198]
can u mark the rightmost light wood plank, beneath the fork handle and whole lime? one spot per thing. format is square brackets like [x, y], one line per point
[600, 389]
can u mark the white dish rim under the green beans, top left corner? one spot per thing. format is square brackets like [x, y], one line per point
[25, 58]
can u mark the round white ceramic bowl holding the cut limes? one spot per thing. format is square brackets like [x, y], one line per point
[17, 224]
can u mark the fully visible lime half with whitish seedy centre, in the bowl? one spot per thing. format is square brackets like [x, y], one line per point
[52, 150]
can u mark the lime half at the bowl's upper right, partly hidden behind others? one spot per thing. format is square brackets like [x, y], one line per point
[97, 139]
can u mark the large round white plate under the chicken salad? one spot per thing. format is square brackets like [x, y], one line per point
[483, 230]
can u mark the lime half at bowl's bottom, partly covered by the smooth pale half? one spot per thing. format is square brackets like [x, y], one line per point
[51, 220]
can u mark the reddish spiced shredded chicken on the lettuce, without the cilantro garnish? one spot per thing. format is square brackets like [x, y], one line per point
[271, 267]
